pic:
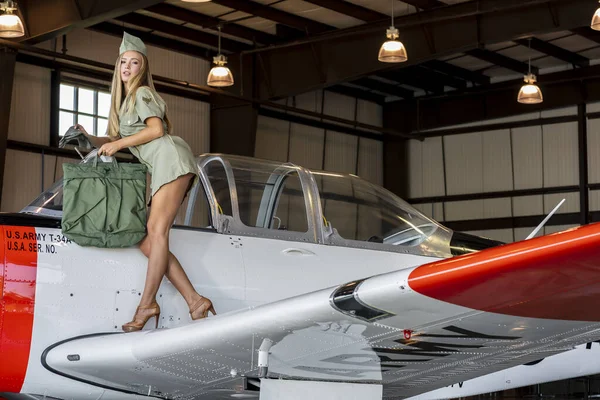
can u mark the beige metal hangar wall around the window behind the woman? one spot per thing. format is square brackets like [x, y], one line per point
[30, 111]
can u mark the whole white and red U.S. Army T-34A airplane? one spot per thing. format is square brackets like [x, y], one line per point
[325, 285]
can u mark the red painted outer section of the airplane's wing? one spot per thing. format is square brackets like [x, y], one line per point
[554, 277]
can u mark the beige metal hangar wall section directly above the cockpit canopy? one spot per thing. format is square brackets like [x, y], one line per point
[320, 149]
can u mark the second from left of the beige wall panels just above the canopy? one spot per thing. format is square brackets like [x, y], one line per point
[306, 146]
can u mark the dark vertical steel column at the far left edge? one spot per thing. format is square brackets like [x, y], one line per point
[8, 59]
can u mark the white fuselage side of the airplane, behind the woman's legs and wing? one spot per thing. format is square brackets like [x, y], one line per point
[84, 291]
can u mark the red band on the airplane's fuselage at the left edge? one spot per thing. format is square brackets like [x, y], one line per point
[18, 268]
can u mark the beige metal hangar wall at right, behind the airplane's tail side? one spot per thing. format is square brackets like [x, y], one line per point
[504, 160]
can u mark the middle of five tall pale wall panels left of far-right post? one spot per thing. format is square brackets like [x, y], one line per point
[497, 161]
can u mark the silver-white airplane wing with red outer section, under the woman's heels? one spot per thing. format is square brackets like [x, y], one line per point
[412, 331]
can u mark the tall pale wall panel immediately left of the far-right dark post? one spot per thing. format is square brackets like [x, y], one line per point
[560, 155]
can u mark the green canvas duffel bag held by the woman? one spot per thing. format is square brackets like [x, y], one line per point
[104, 203]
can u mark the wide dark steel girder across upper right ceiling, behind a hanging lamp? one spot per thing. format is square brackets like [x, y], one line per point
[351, 53]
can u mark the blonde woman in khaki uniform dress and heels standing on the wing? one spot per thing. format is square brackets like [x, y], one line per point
[138, 121]
